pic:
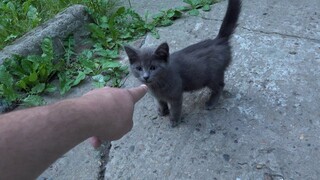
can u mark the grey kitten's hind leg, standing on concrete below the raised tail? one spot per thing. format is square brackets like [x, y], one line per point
[216, 90]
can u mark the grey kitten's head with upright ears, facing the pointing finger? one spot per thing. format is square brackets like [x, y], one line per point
[148, 64]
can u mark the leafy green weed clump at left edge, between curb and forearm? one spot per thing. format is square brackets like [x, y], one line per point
[23, 79]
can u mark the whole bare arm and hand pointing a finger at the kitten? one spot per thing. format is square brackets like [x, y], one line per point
[32, 139]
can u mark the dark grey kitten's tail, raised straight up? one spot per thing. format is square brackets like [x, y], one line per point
[230, 20]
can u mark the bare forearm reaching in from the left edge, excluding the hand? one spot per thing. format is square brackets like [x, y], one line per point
[32, 139]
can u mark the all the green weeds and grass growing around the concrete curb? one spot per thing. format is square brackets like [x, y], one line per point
[24, 79]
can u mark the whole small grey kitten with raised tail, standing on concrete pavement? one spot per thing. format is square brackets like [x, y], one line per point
[194, 67]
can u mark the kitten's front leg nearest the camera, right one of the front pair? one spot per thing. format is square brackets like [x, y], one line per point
[175, 111]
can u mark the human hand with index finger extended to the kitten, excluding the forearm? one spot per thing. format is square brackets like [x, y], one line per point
[112, 111]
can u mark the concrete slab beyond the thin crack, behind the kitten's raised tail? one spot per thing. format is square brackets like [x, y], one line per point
[287, 18]
